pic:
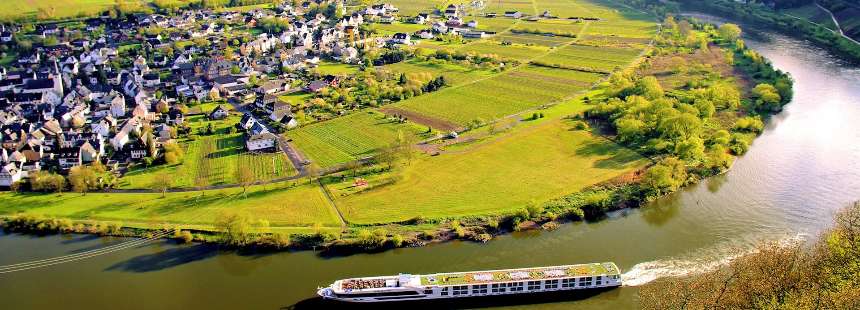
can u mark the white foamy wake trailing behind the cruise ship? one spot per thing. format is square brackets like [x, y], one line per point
[702, 261]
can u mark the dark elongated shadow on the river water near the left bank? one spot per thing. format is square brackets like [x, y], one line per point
[169, 258]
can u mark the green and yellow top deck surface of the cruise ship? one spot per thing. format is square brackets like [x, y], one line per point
[523, 274]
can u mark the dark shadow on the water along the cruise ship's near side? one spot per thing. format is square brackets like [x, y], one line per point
[464, 303]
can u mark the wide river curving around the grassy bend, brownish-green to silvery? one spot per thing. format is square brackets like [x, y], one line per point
[803, 168]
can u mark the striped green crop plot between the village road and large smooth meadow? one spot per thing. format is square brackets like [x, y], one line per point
[348, 138]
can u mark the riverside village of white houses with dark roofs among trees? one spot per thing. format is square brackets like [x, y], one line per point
[115, 91]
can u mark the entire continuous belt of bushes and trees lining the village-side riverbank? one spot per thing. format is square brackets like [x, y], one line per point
[696, 101]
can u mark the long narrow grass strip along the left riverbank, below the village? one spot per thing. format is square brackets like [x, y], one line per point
[300, 206]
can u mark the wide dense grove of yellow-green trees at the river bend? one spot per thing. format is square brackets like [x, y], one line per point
[697, 102]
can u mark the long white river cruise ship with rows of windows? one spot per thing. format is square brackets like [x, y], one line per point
[408, 287]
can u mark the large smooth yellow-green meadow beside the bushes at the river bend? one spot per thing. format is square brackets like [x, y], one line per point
[538, 162]
